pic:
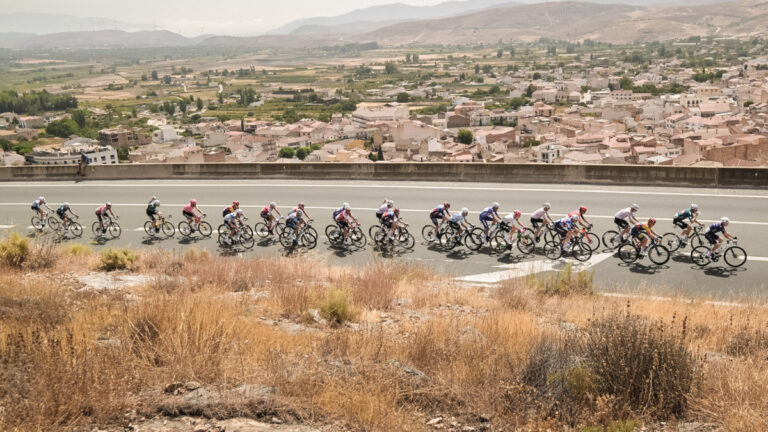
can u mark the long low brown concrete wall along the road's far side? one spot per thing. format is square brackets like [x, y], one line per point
[630, 175]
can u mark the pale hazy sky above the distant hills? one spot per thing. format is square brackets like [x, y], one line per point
[193, 17]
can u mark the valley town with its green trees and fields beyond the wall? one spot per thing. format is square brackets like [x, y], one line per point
[544, 102]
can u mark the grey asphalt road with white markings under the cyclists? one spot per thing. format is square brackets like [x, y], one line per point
[746, 208]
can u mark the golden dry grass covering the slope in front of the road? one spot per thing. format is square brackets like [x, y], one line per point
[403, 346]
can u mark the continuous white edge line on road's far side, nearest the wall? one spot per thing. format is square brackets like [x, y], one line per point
[382, 186]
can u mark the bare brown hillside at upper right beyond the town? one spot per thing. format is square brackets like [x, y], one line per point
[578, 21]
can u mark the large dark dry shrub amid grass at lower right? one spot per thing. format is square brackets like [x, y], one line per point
[647, 366]
